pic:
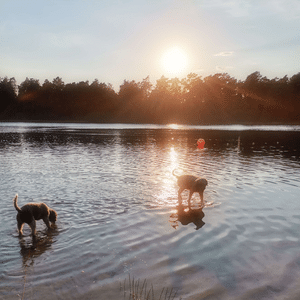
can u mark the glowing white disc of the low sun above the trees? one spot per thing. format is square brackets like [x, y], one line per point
[174, 61]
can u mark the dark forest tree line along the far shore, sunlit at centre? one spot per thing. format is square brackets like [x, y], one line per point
[215, 99]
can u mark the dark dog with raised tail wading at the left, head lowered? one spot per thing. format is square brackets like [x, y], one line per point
[31, 212]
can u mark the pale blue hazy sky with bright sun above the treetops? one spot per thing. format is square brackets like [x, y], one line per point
[116, 40]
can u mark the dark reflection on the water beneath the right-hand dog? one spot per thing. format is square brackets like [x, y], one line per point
[186, 217]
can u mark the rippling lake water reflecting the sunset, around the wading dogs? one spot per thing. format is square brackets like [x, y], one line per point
[116, 199]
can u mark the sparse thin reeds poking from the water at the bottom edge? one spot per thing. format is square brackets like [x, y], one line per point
[137, 290]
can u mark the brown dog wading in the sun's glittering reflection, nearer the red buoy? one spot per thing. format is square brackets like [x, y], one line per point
[193, 184]
